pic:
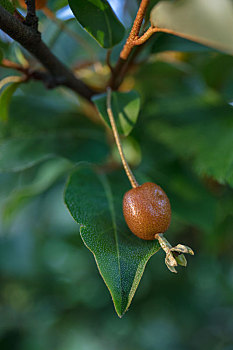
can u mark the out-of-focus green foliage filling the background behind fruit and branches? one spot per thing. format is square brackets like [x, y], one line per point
[51, 295]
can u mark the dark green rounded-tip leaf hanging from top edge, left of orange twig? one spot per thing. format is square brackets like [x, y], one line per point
[98, 18]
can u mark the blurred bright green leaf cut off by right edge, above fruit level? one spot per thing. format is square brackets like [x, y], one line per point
[206, 142]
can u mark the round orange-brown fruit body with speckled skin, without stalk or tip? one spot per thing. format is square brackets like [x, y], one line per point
[147, 210]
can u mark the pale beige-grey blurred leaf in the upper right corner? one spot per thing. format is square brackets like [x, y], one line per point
[208, 22]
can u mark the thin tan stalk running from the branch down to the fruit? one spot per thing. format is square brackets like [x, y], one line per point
[118, 142]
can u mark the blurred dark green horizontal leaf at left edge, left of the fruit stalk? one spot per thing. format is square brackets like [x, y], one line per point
[23, 152]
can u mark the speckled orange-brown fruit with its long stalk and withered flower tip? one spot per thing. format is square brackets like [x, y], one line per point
[147, 209]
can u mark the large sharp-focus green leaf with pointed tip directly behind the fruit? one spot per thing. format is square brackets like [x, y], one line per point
[95, 202]
